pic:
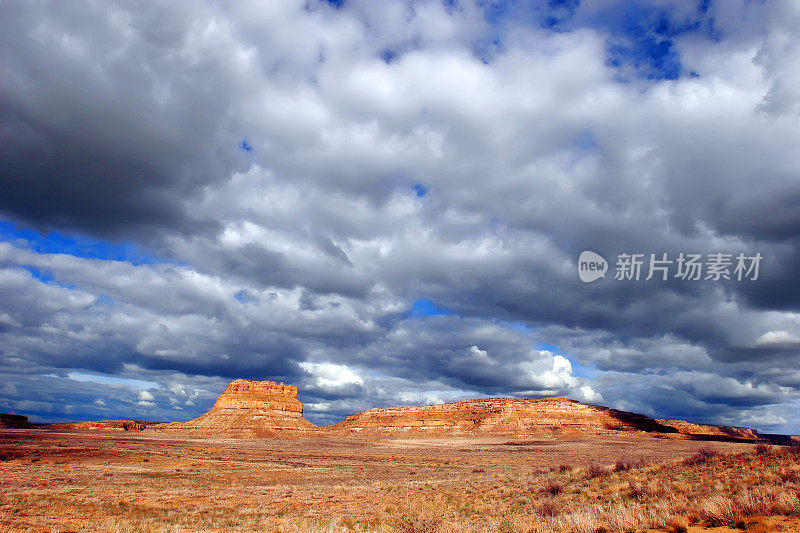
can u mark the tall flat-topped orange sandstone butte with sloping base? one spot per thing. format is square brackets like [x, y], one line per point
[250, 409]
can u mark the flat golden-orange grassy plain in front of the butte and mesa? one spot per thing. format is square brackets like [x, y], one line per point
[80, 481]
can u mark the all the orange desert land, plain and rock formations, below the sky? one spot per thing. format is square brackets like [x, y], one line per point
[488, 465]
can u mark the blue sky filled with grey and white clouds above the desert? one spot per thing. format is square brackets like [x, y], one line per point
[384, 203]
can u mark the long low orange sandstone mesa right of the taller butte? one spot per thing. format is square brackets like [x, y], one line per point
[498, 416]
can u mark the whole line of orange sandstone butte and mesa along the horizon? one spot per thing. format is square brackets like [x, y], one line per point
[259, 409]
